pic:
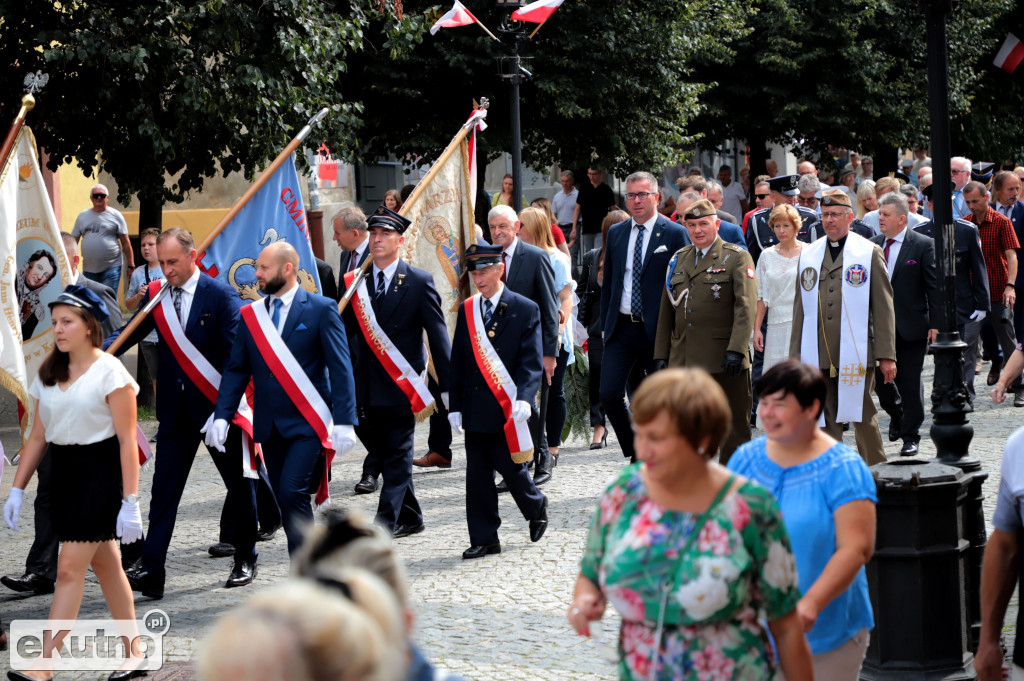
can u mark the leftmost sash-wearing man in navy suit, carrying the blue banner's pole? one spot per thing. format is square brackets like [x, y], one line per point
[208, 311]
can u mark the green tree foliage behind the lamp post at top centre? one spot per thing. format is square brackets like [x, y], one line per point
[612, 81]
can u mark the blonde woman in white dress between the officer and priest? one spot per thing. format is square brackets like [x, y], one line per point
[778, 286]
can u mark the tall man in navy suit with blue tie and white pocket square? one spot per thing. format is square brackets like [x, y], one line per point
[636, 259]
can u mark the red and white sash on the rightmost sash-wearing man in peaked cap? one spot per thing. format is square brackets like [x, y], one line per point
[499, 381]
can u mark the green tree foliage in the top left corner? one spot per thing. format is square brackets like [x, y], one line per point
[187, 89]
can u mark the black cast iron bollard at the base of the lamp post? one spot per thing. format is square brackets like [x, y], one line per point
[918, 577]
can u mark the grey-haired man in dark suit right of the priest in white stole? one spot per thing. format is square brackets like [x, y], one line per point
[911, 263]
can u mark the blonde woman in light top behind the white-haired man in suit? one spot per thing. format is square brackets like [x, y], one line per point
[537, 232]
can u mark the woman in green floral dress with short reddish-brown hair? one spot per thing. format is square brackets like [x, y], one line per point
[692, 557]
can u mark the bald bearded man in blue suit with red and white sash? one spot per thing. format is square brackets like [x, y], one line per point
[293, 346]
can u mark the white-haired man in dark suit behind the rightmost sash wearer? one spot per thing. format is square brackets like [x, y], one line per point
[529, 272]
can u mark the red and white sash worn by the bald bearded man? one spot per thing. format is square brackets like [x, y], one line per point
[297, 386]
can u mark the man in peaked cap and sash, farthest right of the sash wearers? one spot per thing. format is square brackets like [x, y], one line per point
[497, 364]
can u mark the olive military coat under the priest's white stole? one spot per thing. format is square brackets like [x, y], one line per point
[881, 319]
